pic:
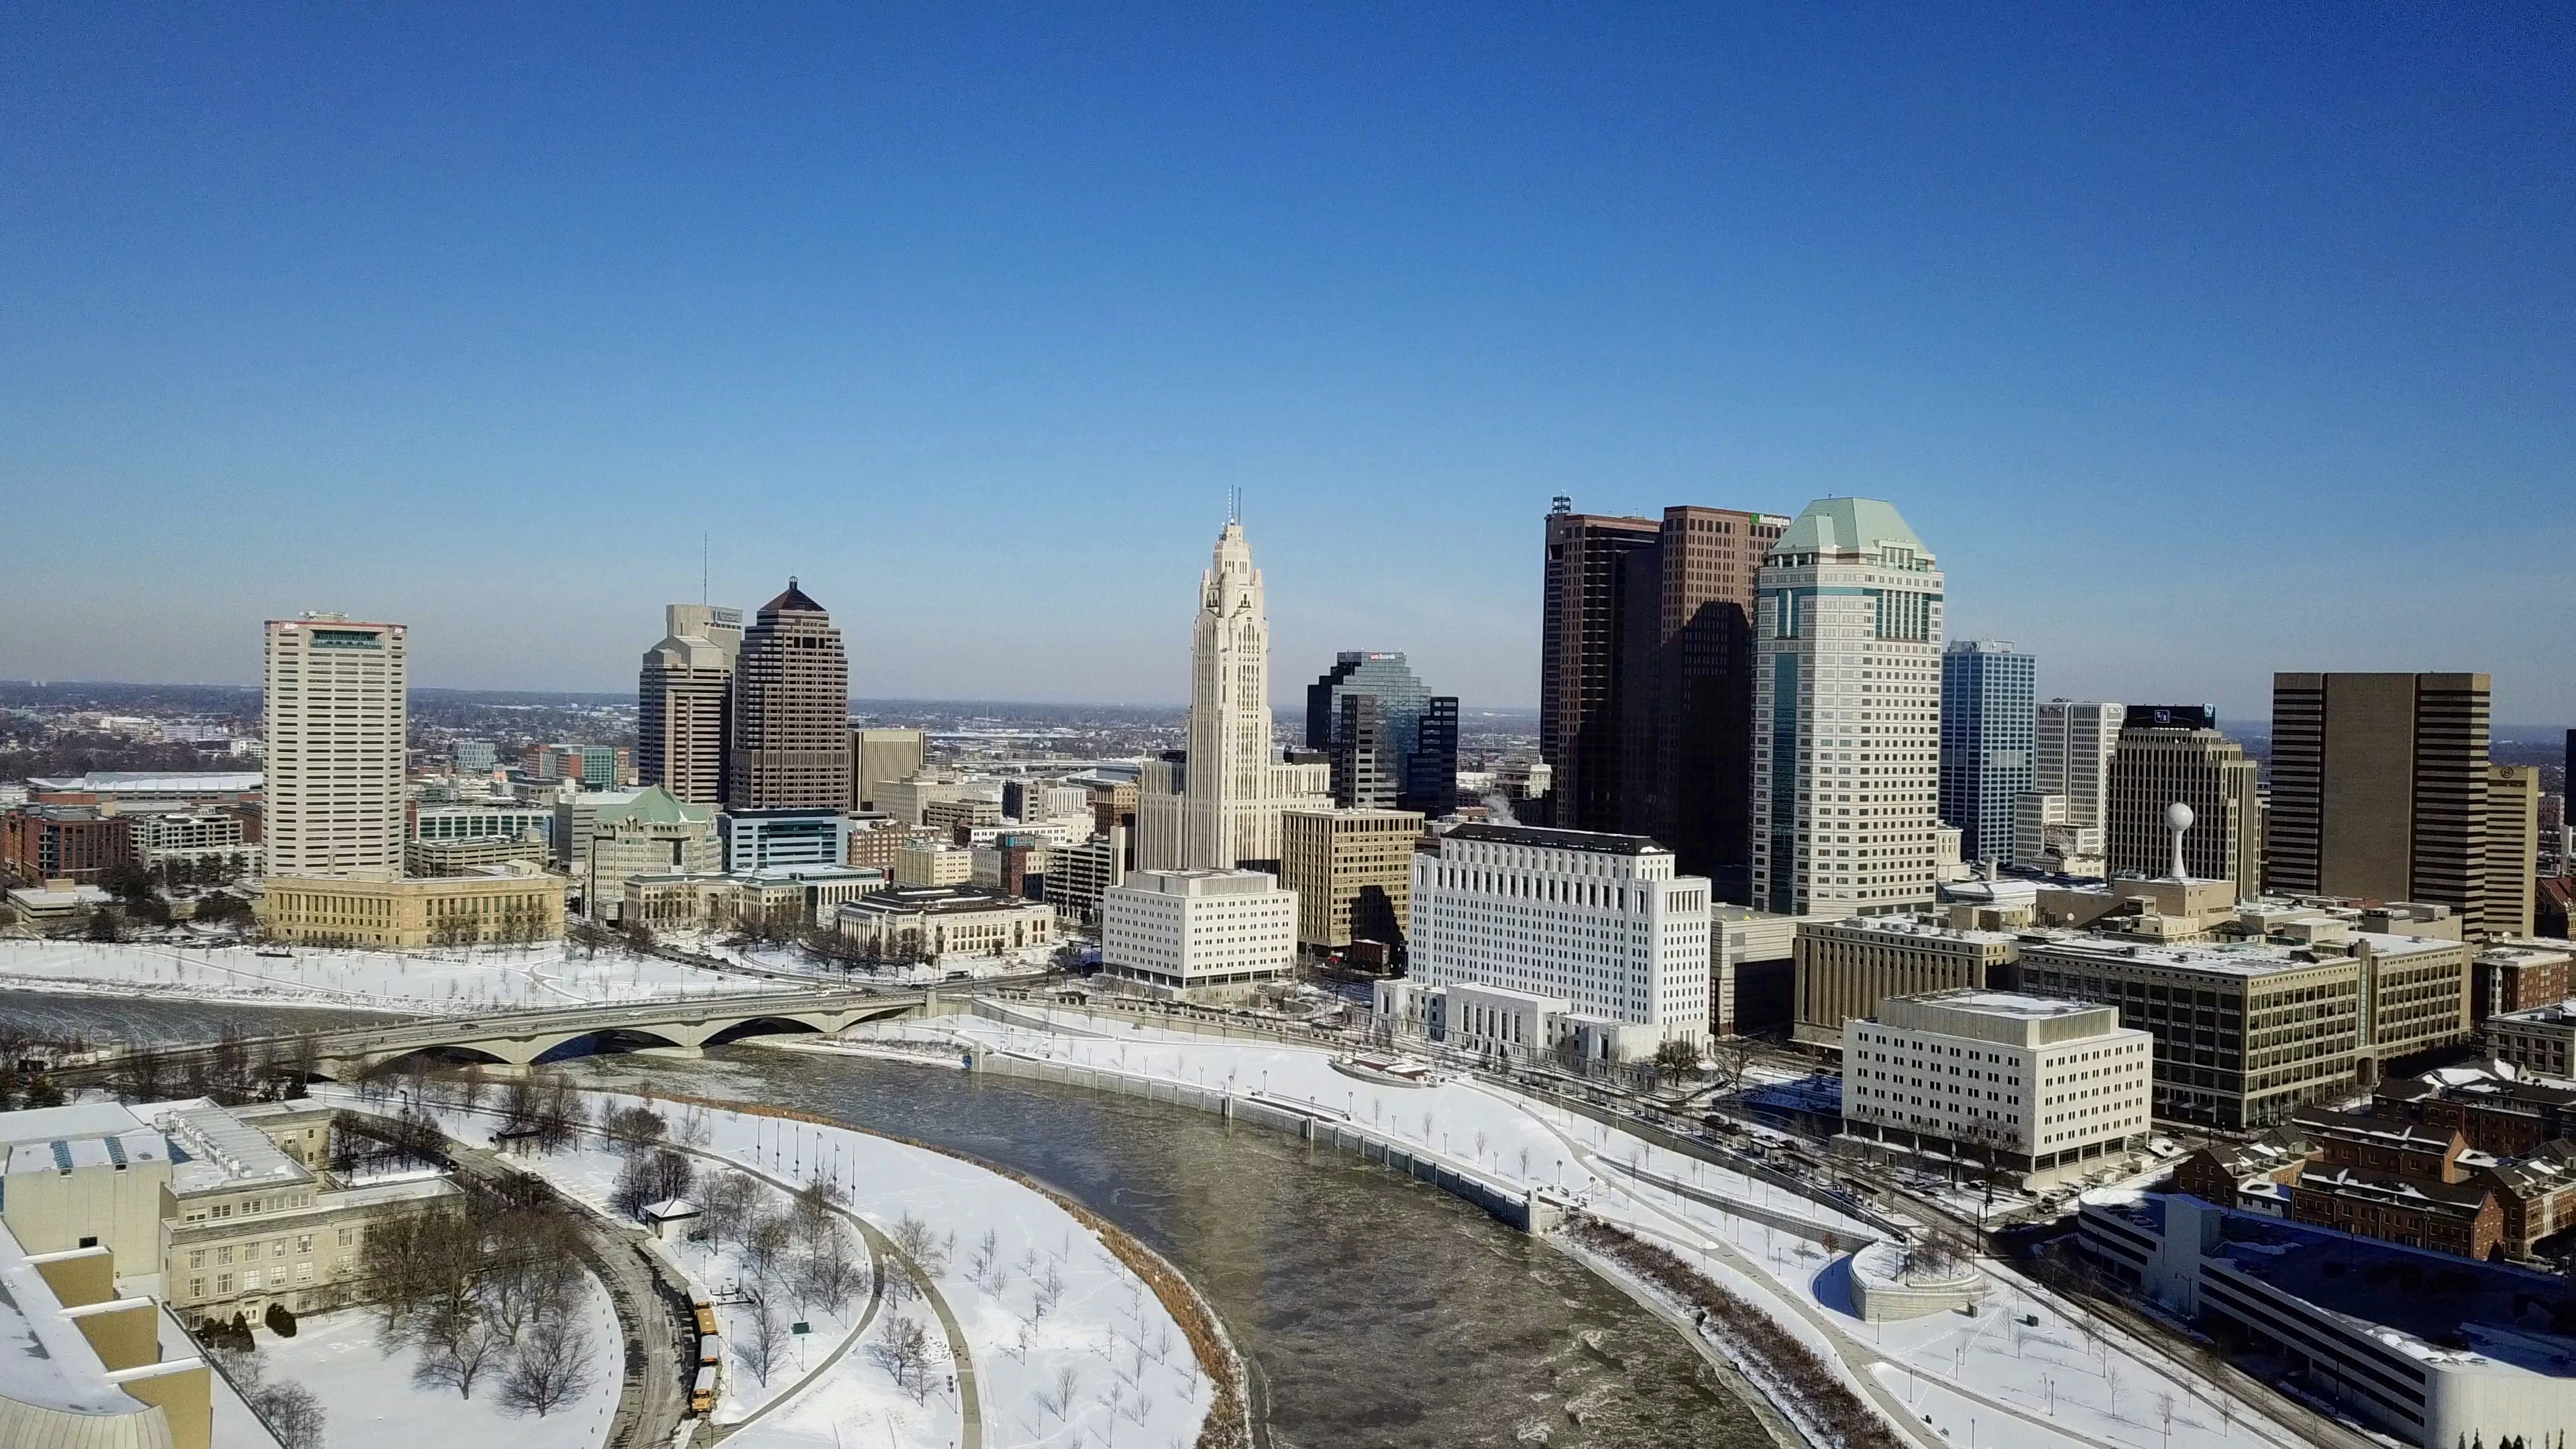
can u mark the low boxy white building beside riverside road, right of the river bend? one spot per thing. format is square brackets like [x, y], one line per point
[2044, 1082]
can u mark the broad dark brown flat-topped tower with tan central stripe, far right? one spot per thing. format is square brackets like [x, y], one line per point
[2379, 788]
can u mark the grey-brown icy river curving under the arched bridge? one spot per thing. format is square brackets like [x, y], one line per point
[1379, 1314]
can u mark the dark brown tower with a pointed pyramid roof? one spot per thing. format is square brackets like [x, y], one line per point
[792, 713]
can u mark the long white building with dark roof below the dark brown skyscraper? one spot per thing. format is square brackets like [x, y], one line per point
[1596, 922]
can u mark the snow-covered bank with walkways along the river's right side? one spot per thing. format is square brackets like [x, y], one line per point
[1990, 1381]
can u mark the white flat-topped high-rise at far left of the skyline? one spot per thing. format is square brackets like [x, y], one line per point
[336, 736]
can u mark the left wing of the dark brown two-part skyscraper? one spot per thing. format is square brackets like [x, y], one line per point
[1598, 581]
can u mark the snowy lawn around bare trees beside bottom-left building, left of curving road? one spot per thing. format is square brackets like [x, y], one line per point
[370, 1396]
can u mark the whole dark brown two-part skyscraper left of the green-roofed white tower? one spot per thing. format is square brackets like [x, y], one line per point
[1647, 679]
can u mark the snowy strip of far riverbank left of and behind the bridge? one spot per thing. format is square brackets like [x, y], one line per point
[434, 981]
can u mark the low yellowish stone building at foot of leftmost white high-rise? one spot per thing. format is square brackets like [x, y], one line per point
[501, 904]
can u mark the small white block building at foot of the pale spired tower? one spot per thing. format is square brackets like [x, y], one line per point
[1199, 935]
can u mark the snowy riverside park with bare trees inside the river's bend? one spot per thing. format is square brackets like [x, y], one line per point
[970, 1283]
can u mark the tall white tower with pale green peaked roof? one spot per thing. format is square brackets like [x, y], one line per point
[1846, 715]
